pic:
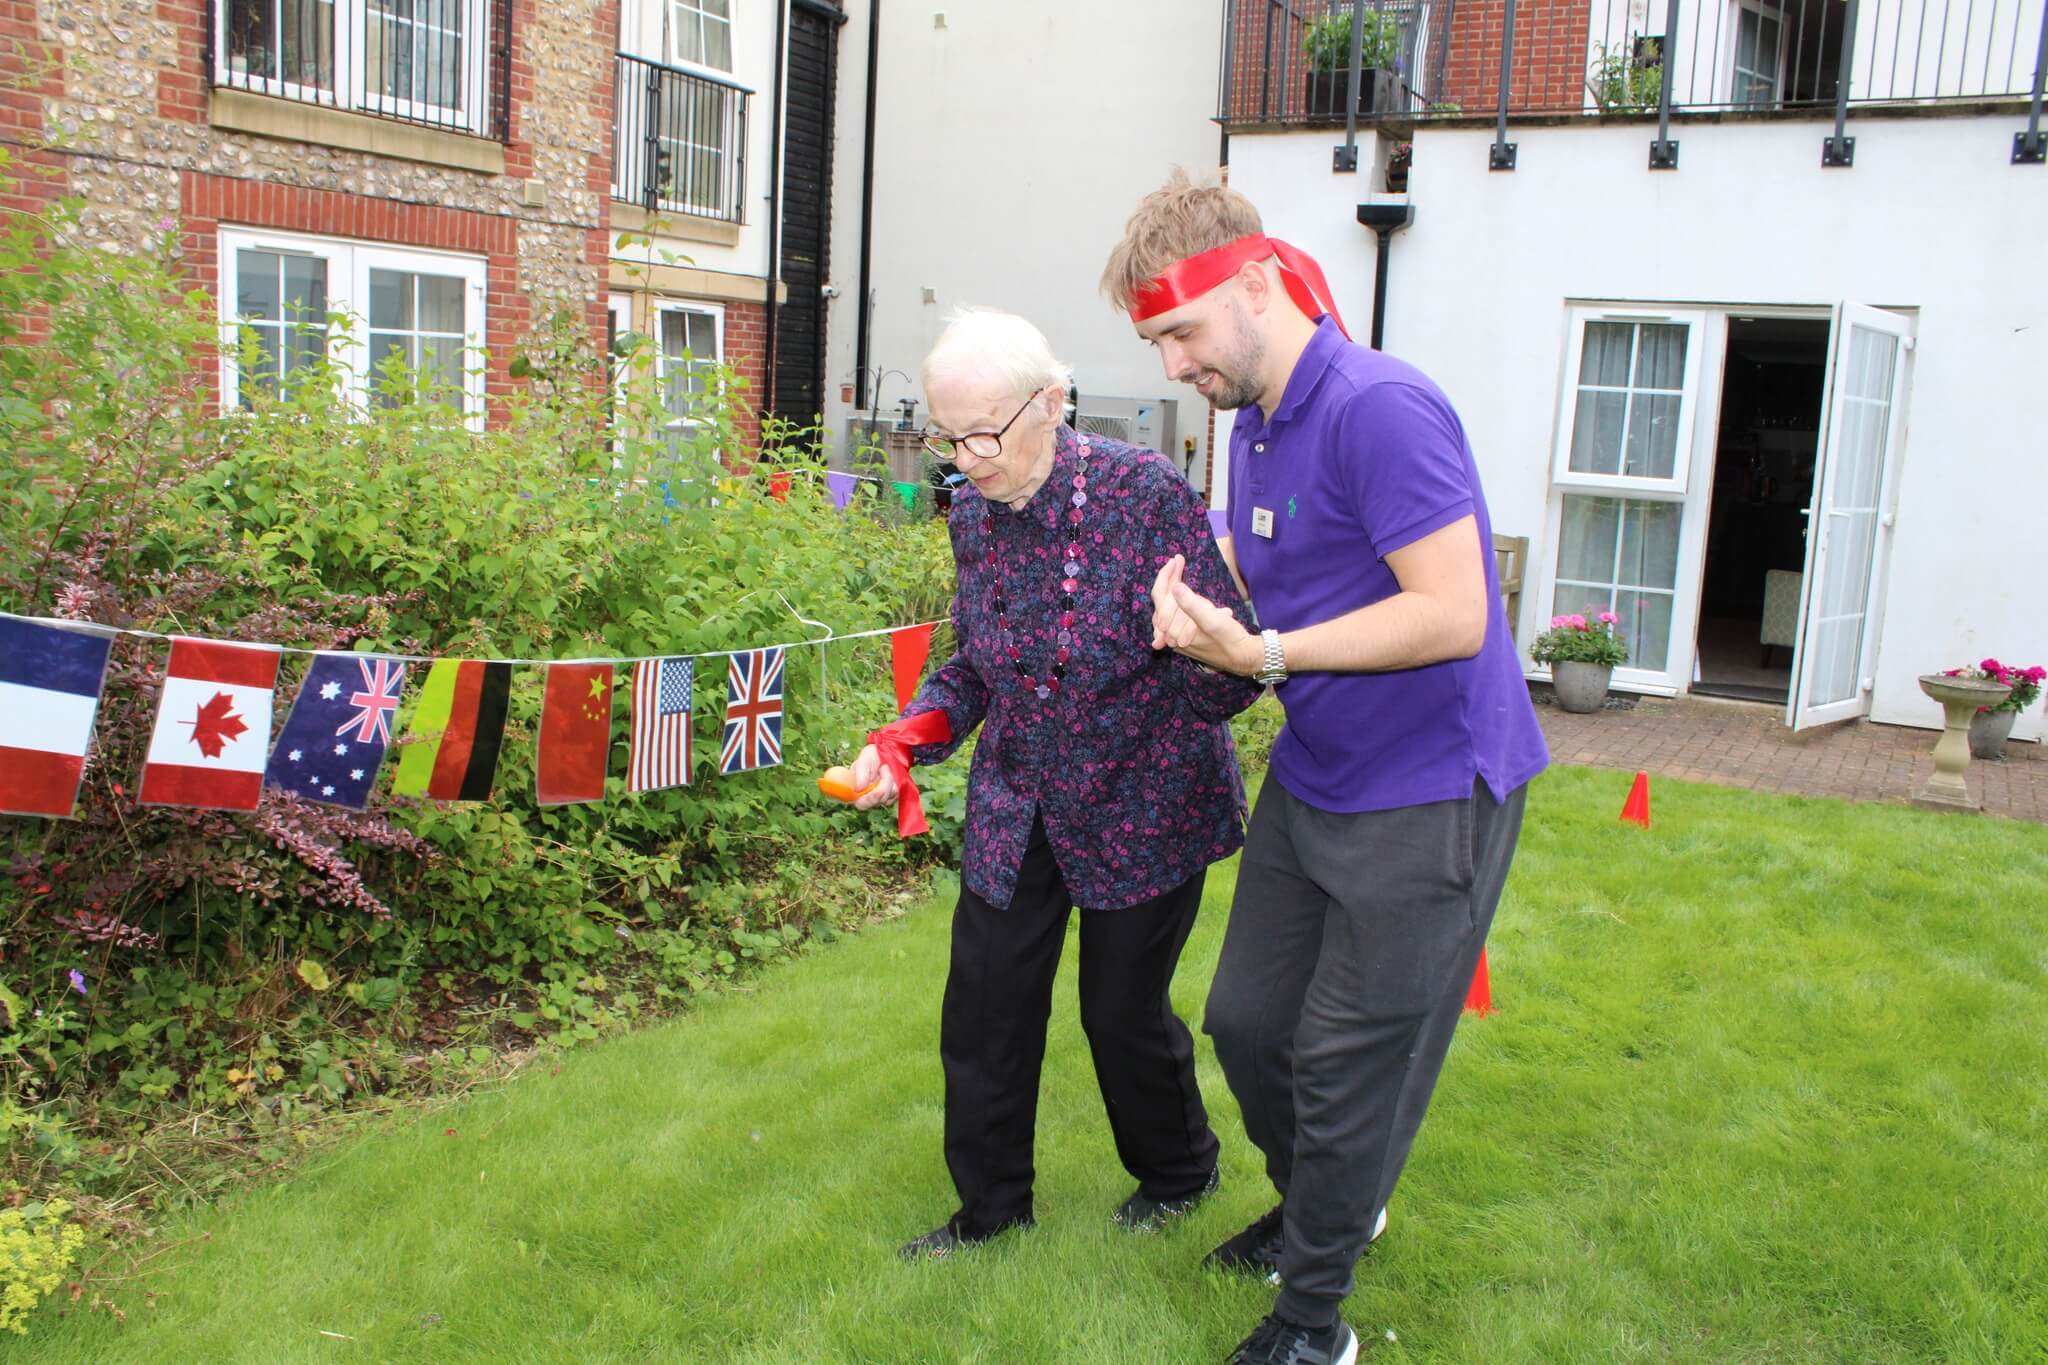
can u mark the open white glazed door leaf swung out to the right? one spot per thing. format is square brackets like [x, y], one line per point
[1848, 529]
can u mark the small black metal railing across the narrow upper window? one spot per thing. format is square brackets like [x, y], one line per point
[679, 140]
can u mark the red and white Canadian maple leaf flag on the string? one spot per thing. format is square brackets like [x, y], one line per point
[214, 728]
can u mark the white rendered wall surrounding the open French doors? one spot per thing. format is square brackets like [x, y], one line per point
[1932, 220]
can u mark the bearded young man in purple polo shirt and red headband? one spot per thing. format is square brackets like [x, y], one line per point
[1383, 836]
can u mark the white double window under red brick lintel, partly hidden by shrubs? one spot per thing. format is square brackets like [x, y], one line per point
[407, 326]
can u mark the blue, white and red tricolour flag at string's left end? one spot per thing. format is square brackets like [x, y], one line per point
[50, 691]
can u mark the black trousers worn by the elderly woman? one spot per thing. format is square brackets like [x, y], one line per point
[992, 1041]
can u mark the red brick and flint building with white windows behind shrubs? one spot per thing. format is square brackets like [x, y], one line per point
[445, 173]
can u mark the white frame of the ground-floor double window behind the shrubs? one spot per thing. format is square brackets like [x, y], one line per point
[349, 292]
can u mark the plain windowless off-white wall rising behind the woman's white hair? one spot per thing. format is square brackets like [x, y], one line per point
[1011, 148]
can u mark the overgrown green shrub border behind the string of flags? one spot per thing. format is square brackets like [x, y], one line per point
[302, 959]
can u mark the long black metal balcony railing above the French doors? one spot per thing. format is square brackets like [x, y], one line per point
[1289, 62]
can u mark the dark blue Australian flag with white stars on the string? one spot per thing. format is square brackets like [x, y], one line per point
[339, 730]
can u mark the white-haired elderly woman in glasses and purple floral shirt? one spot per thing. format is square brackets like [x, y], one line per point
[1105, 779]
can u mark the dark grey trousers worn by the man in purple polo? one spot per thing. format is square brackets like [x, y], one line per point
[1345, 971]
